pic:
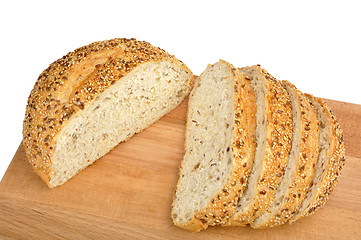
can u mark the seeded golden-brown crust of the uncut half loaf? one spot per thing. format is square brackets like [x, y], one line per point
[73, 81]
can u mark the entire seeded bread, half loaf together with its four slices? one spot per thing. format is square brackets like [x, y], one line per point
[258, 152]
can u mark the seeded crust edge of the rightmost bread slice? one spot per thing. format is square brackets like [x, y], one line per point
[335, 163]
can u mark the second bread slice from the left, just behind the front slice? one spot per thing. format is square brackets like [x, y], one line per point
[274, 138]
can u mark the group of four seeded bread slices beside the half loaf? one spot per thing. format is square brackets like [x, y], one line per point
[258, 151]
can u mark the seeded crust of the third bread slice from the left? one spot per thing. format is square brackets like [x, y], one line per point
[307, 158]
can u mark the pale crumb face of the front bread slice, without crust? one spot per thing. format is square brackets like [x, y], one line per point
[208, 152]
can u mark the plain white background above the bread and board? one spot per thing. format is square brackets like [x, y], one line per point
[314, 44]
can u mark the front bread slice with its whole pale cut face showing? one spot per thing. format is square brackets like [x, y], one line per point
[219, 150]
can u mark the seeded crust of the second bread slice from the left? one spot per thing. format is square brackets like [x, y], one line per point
[278, 145]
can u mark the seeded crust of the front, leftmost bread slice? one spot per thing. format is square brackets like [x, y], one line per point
[224, 203]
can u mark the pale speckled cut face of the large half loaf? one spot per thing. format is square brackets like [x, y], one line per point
[133, 103]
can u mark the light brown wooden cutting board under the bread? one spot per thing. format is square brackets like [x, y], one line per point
[128, 193]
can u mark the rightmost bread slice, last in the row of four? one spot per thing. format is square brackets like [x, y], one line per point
[330, 160]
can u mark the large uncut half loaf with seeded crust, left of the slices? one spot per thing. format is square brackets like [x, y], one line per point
[90, 100]
